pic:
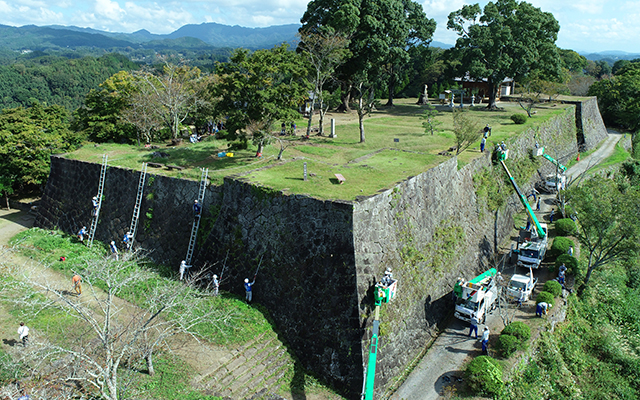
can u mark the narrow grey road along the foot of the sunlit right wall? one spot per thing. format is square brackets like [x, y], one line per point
[452, 349]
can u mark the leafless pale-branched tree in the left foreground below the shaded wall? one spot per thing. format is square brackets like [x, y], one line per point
[109, 332]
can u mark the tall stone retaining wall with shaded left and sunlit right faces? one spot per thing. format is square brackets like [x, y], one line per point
[320, 259]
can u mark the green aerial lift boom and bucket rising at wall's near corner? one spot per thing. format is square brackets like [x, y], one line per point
[383, 292]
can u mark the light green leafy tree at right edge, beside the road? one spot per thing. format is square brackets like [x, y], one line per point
[608, 222]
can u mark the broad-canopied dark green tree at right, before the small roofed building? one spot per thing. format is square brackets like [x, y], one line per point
[506, 39]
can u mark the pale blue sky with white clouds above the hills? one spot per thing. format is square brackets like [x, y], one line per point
[585, 25]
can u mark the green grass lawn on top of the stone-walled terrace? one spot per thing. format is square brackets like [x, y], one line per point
[395, 148]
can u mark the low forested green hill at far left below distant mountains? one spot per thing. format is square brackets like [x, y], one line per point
[57, 80]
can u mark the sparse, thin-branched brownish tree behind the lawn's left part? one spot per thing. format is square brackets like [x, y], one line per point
[172, 94]
